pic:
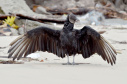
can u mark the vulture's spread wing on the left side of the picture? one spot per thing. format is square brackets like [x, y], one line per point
[39, 39]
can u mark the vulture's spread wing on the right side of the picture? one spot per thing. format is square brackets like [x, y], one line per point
[91, 42]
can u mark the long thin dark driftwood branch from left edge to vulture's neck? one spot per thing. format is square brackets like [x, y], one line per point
[42, 20]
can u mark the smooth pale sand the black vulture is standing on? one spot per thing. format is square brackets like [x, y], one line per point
[52, 71]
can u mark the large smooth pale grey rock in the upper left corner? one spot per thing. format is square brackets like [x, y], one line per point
[18, 7]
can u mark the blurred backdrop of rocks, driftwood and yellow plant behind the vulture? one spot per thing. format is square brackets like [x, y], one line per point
[19, 16]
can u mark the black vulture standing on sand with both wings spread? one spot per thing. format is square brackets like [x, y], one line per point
[65, 42]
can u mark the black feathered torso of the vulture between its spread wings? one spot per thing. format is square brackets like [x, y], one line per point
[68, 40]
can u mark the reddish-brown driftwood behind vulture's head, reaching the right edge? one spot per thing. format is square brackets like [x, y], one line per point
[107, 11]
